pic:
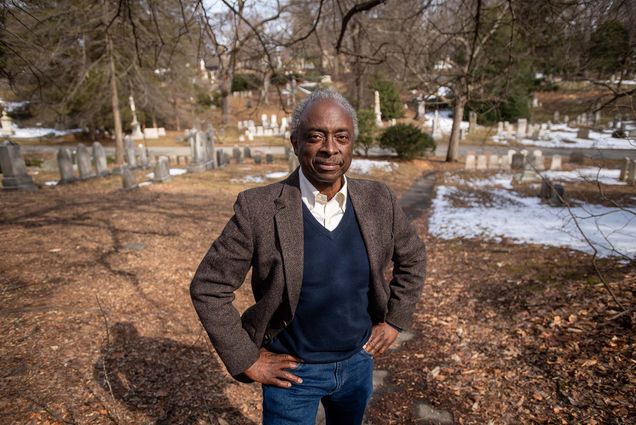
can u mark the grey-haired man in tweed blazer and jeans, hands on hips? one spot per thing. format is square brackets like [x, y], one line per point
[318, 244]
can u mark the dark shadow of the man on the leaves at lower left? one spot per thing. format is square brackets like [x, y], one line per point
[170, 382]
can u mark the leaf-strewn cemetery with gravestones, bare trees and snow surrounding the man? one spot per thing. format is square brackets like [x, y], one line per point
[526, 205]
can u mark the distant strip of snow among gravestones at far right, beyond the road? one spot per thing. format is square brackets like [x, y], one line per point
[562, 136]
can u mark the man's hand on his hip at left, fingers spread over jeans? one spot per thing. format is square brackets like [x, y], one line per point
[271, 369]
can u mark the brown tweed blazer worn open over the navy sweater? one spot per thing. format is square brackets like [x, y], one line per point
[266, 234]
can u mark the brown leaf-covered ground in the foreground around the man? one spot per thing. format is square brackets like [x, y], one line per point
[98, 326]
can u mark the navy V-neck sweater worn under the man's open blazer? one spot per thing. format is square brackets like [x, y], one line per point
[331, 322]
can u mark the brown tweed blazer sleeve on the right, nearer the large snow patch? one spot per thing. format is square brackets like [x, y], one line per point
[409, 269]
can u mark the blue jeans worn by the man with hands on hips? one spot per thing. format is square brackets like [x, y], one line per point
[344, 388]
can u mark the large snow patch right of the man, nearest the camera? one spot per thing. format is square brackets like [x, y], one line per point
[528, 220]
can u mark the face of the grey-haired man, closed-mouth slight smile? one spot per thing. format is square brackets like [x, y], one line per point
[323, 143]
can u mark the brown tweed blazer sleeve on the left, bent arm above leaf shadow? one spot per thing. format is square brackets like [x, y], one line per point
[221, 272]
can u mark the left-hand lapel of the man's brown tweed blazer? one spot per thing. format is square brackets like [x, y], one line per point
[289, 228]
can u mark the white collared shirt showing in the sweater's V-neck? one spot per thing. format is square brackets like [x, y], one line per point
[328, 213]
